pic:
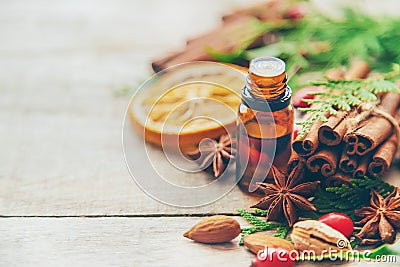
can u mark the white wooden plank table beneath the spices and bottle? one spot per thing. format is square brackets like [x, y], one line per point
[66, 197]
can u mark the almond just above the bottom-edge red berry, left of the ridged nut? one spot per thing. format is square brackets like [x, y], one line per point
[257, 241]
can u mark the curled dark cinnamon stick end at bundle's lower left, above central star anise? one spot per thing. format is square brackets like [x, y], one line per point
[324, 161]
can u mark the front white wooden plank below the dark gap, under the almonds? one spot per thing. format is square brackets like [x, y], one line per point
[118, 242]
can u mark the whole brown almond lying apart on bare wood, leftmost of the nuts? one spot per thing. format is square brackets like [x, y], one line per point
[214, 229]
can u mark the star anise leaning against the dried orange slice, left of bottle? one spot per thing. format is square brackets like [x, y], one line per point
[216, 152]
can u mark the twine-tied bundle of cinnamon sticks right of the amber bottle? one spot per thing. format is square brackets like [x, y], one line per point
[351, 143]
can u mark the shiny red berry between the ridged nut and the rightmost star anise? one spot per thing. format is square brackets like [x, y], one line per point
[340, 222]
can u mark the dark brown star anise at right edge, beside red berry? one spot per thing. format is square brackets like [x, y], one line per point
[381, 219]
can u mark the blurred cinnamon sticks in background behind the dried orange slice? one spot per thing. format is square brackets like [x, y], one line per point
[236, 27]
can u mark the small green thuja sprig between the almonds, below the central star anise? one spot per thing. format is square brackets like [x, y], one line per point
[261, 225]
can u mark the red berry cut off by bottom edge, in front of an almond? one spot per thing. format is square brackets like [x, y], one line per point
[274, 257]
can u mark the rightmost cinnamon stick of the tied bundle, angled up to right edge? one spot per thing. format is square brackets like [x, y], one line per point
[383, 157]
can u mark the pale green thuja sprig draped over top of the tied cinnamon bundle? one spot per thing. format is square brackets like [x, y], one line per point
[344, 95]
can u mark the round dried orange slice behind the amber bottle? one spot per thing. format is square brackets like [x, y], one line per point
[188, 103]
